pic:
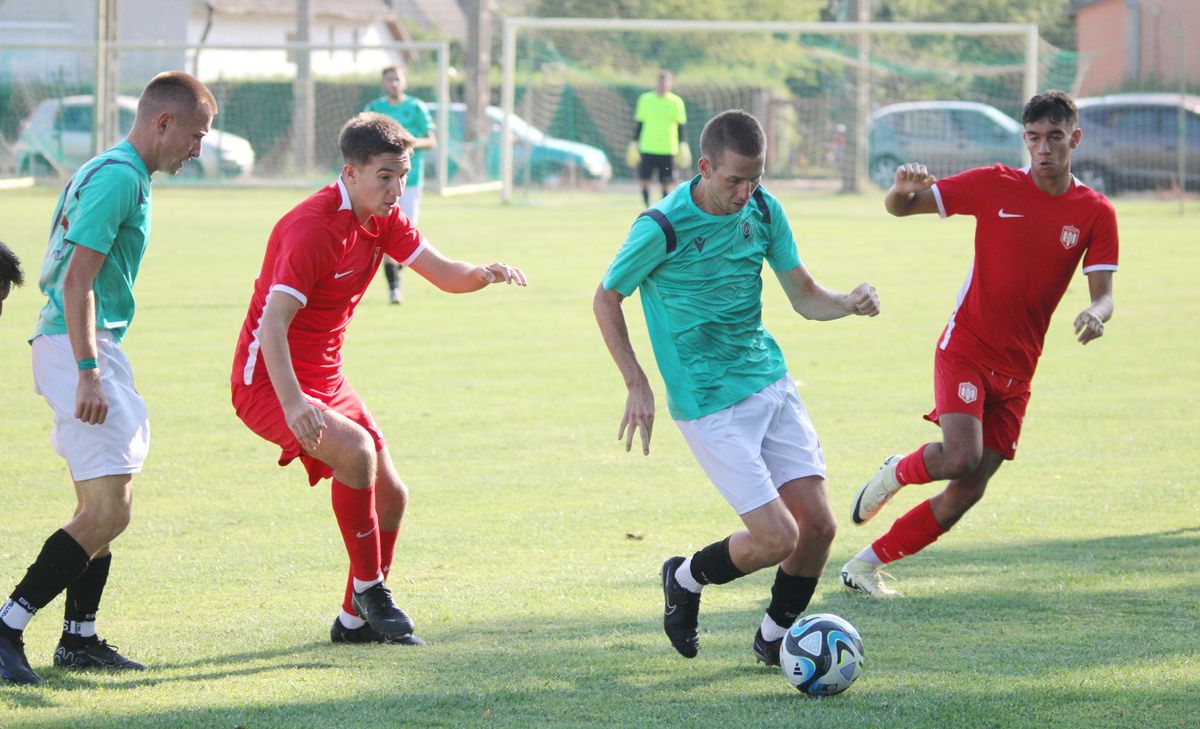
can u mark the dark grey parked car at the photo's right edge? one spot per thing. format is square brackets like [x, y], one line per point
[1132, 142]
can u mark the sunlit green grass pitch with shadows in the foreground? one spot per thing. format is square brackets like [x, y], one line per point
[1069, 598]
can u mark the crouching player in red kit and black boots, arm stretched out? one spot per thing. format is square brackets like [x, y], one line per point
[287, 377]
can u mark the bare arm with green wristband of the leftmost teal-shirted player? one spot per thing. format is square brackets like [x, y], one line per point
[80, 312]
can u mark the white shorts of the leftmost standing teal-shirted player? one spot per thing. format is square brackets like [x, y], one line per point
[115, 448]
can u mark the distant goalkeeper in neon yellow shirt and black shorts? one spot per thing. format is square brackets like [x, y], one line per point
[659, 143]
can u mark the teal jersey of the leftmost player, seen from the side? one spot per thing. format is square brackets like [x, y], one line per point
[105, 207]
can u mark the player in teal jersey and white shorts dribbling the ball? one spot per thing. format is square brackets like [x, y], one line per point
[698, 260]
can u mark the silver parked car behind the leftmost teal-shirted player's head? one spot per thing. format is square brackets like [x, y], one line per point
[57, 140]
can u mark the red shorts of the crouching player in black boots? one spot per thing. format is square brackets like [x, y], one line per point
[259, 407]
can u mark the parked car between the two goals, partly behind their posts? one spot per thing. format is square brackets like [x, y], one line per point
[536, 155]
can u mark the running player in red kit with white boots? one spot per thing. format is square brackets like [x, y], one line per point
[1034, 227]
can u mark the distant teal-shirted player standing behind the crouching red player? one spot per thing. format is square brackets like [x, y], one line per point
[415, 117]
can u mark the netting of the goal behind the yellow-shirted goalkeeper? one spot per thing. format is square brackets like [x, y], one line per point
[826, 93]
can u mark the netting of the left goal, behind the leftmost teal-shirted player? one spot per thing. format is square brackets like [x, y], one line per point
[275, 124]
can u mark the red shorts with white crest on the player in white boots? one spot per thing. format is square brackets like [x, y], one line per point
[997, 400]
